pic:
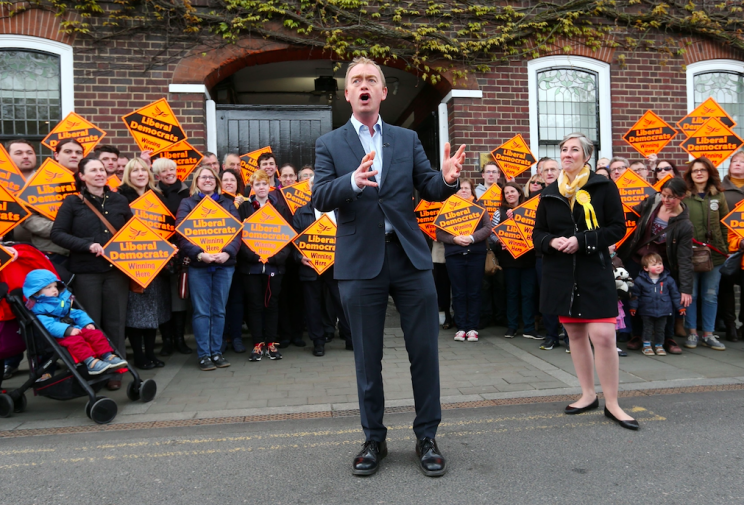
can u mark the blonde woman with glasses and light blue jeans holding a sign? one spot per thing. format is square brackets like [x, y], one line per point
[210, 274]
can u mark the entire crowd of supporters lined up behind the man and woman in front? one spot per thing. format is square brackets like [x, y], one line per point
[663, 291]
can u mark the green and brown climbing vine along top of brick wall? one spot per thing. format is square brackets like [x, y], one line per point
[464, 35]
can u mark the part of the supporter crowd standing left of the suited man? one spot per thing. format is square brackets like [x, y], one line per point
[221, 291]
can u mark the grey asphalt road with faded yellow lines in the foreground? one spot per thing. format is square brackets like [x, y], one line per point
[689, 450]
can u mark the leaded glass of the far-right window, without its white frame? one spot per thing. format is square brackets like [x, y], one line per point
[726, 88]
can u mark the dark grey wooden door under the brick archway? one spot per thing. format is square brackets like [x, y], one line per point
[290, 130]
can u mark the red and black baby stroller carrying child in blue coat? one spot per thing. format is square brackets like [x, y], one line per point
[43, 352]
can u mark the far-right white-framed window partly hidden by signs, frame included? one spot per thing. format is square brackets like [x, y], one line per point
[723, 80]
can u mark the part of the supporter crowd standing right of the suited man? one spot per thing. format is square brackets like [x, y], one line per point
[685, 216]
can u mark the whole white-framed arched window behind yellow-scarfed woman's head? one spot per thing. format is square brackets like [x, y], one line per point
[569, 94]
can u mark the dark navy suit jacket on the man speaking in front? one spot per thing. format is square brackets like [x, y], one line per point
[360, 239]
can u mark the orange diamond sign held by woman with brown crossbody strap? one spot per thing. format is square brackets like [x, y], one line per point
[138, 251]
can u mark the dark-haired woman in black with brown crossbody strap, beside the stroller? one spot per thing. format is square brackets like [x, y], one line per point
[99, 286]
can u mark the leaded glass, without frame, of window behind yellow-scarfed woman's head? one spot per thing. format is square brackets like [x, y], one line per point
[567, 102]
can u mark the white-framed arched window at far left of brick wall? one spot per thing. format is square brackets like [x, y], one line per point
[36, 87]
